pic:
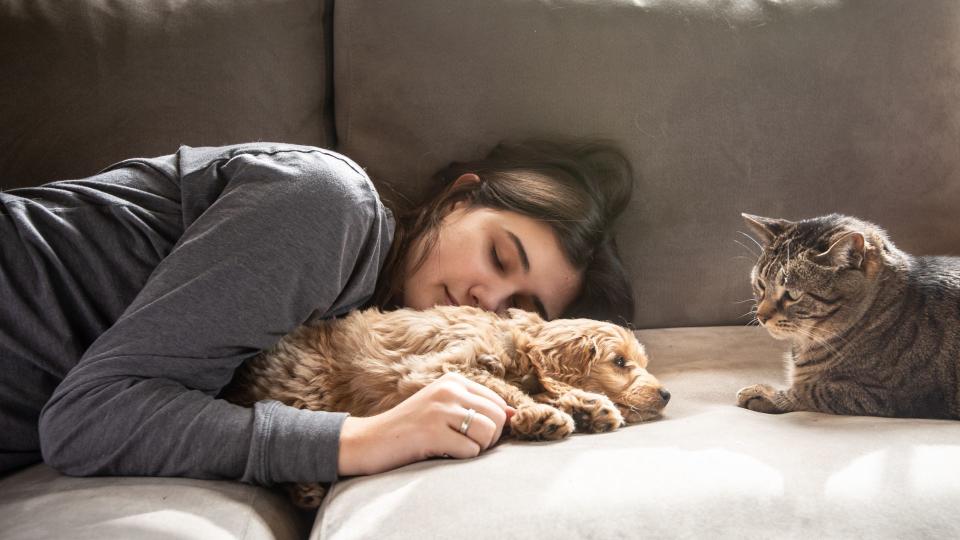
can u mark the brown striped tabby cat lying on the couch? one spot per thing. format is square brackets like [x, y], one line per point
[873, 331]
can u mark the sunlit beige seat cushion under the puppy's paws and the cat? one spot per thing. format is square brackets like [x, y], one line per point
[708, 469]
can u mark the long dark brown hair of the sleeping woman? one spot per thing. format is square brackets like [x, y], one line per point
[577, 188]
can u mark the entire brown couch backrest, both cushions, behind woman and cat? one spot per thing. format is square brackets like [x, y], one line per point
[792, 108]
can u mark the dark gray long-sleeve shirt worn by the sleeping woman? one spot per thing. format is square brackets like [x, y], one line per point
[128, 299]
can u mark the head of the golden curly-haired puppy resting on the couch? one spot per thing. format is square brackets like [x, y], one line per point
[594, 356]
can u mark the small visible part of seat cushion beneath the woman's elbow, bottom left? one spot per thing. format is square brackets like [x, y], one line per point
[38, 503]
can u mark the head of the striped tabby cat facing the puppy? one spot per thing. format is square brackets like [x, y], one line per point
[815, 276]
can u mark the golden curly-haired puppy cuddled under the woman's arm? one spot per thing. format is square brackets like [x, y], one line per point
[562, 376]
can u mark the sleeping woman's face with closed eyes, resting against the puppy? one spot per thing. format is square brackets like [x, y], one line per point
[493, 259]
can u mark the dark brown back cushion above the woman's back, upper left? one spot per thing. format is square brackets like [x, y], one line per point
[90, 82]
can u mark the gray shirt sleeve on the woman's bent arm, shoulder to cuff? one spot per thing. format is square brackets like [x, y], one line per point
[294, 232]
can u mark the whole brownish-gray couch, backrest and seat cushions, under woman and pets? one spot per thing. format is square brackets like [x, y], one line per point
[788, 108]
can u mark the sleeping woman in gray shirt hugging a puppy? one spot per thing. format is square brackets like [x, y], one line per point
[130, 297]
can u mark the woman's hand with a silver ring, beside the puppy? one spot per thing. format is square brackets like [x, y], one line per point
[427, 424]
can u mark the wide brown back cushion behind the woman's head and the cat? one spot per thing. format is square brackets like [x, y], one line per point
[789, 109]
